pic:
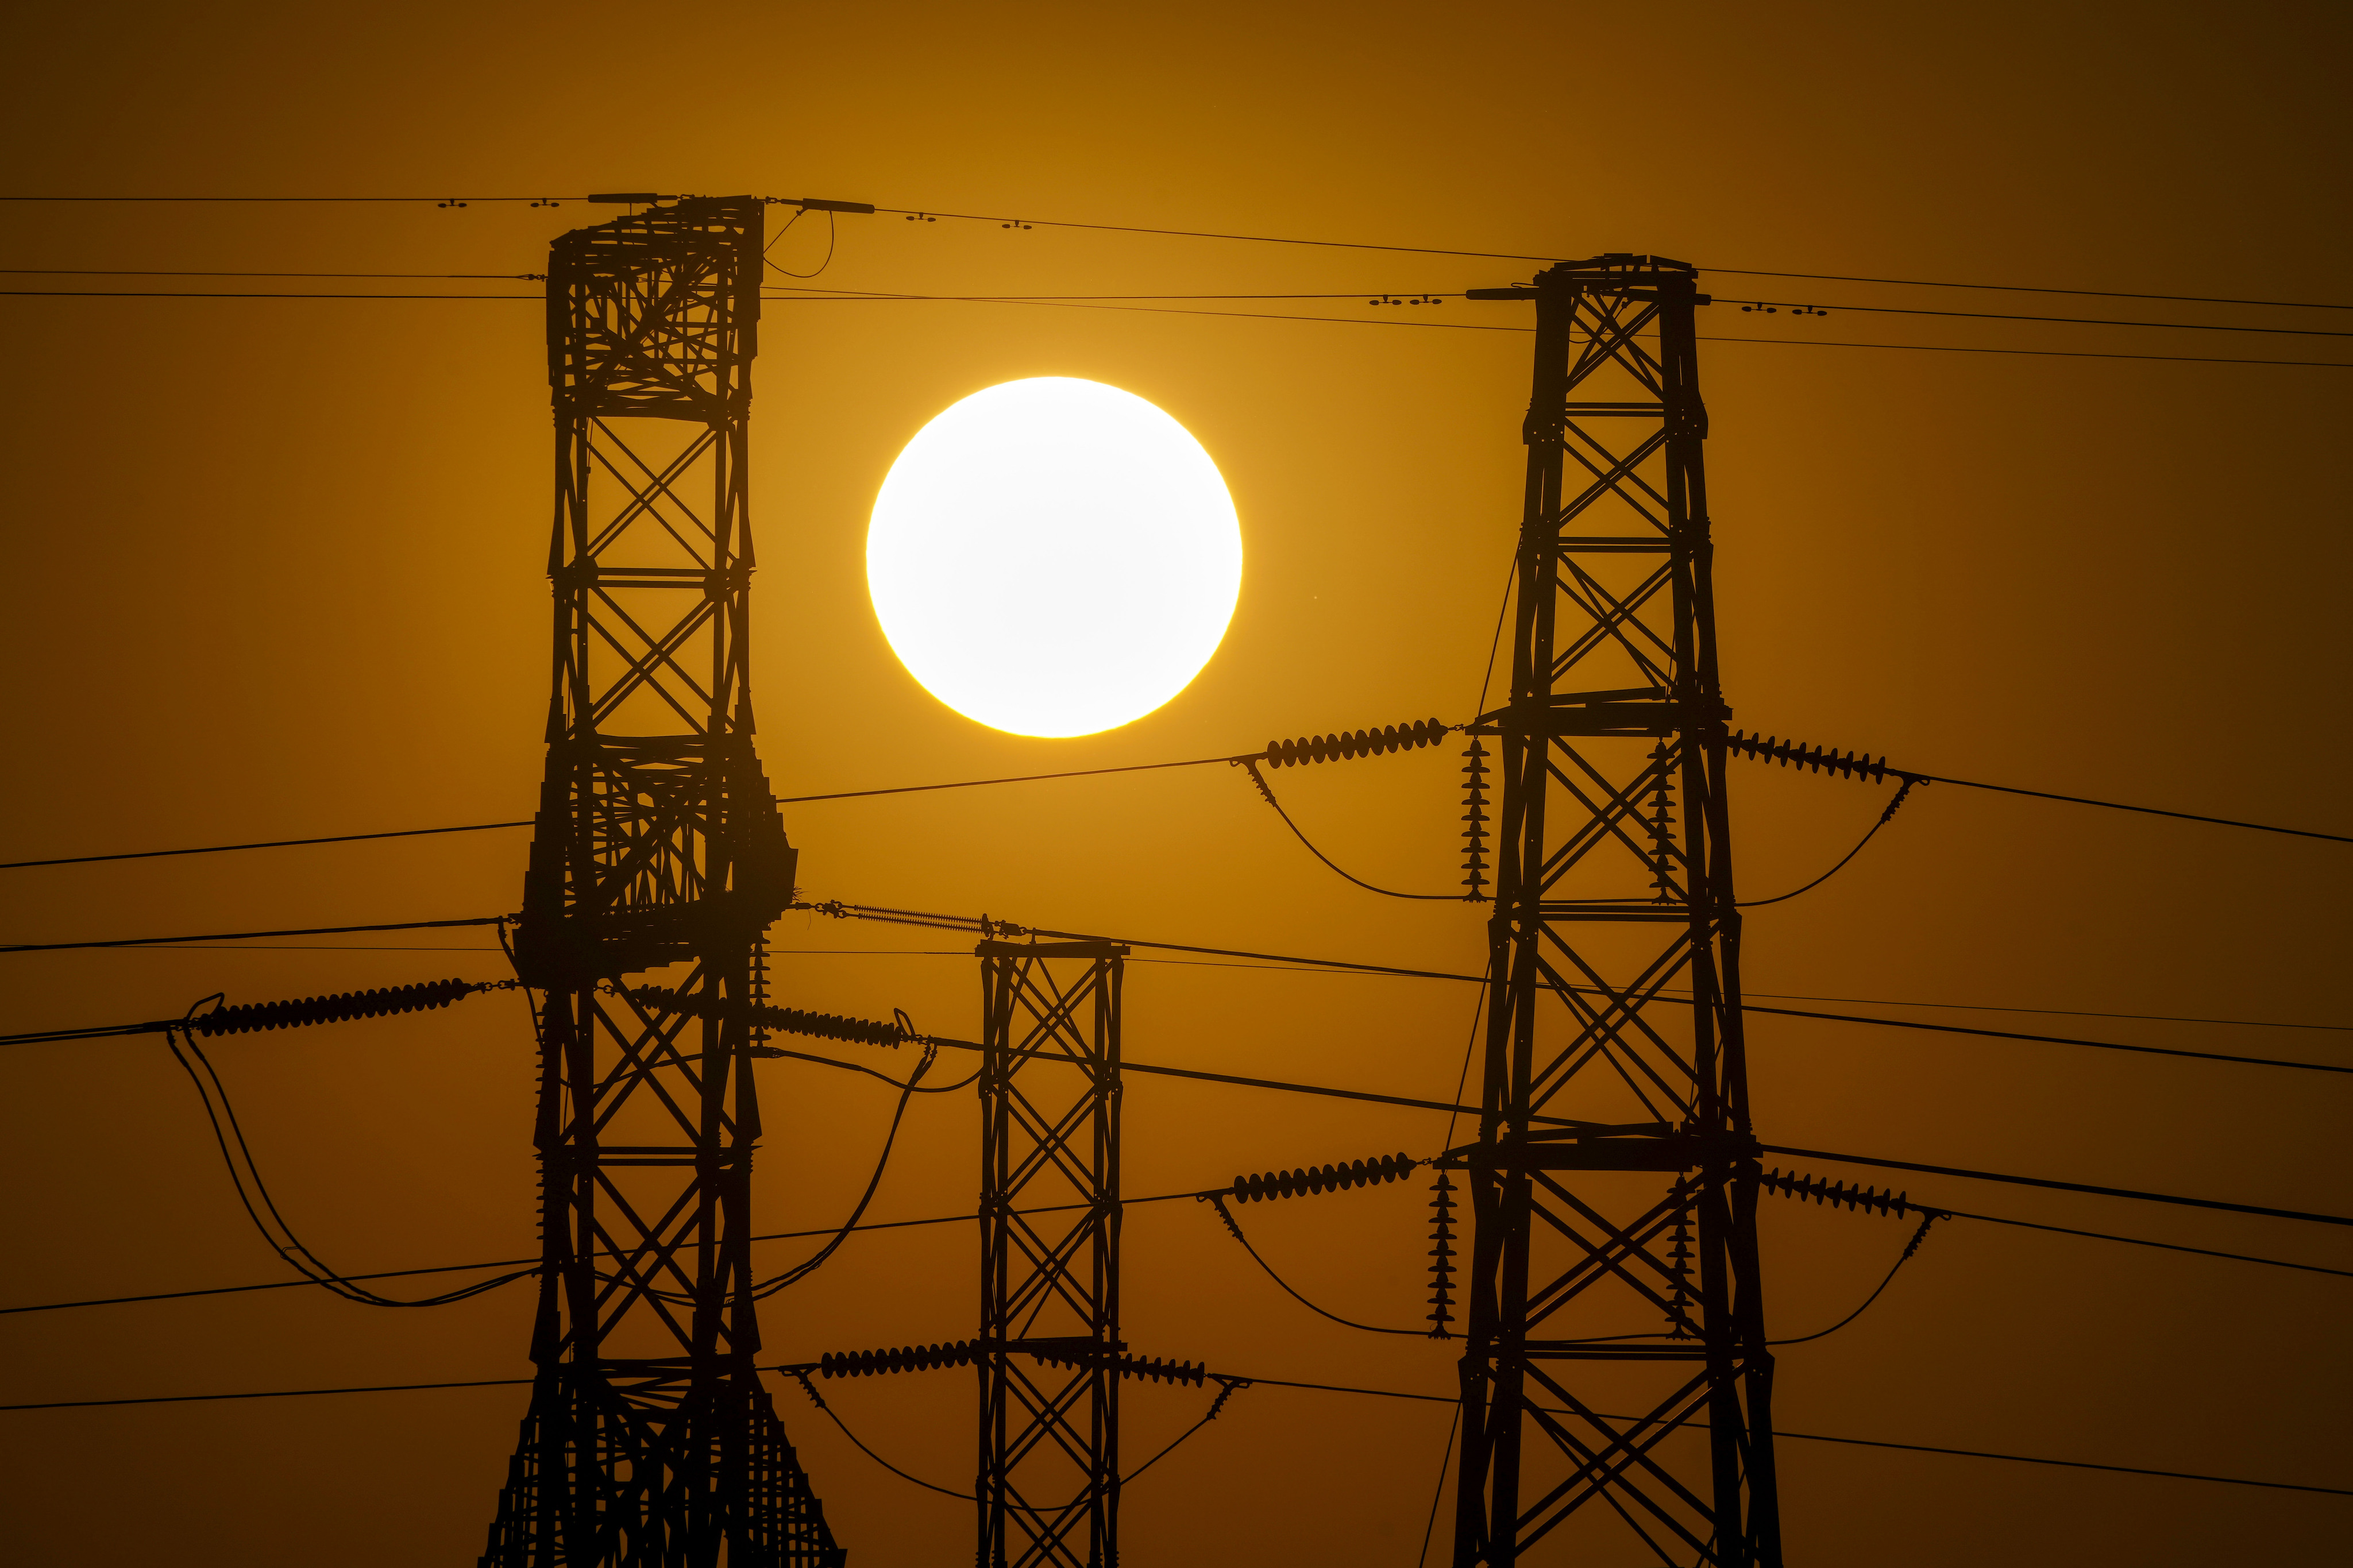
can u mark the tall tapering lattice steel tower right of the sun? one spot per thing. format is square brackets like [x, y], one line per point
[1615, 1146]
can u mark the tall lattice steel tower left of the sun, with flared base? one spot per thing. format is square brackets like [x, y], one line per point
[651, 1440]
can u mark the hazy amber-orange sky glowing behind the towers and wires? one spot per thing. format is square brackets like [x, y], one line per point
[276, 568]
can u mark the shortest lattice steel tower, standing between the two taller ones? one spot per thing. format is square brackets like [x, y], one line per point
[1051, 1282]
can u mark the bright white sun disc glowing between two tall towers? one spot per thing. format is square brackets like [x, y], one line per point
[1055, 558]
